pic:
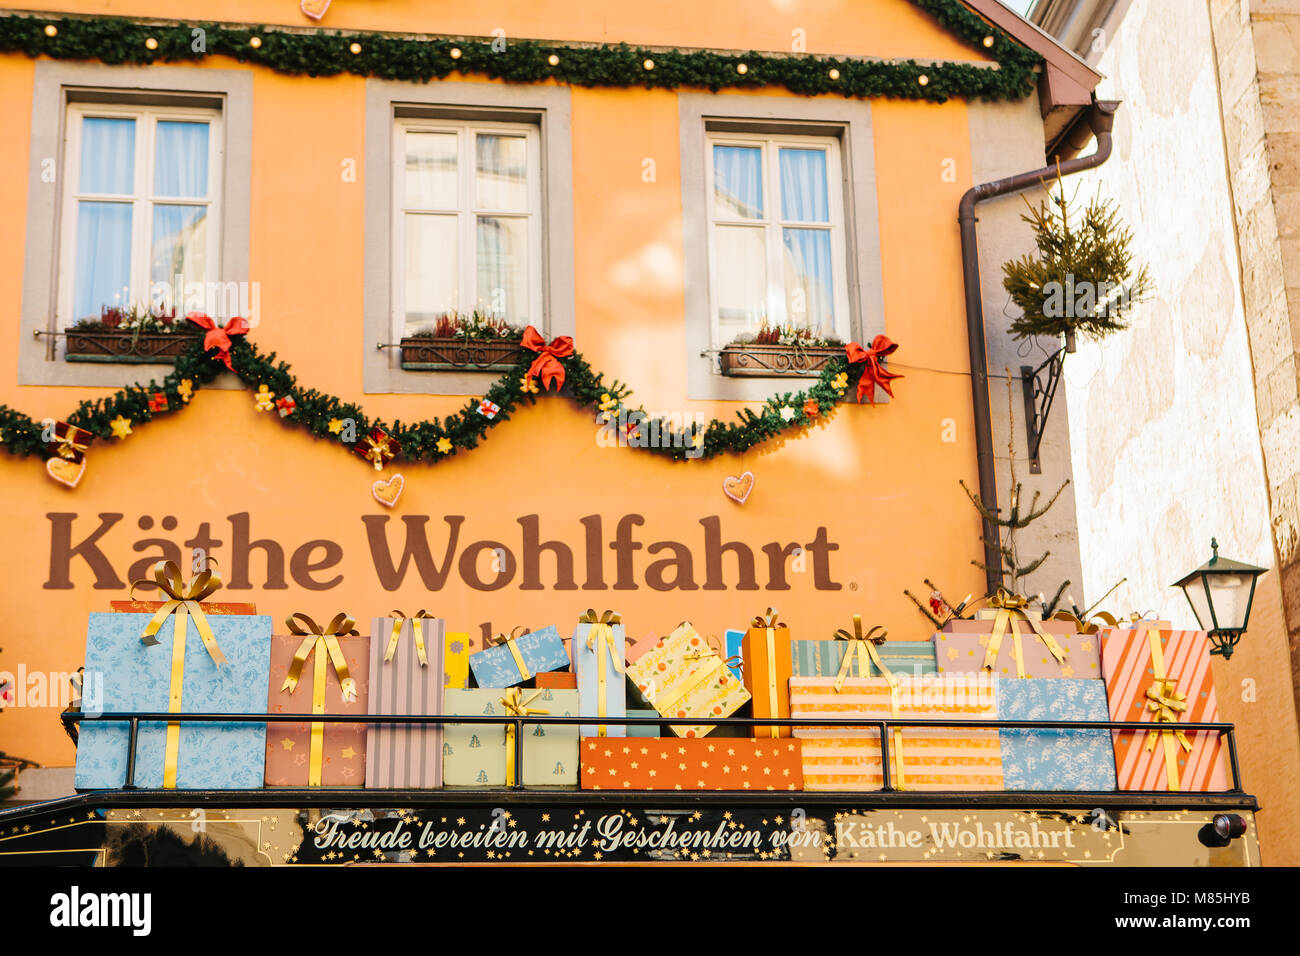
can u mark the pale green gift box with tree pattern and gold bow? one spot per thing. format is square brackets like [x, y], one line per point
[475, 755]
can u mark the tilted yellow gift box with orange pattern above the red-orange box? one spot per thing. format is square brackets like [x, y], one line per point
[683, 678]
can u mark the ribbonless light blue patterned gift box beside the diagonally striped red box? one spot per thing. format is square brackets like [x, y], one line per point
[1042, 760]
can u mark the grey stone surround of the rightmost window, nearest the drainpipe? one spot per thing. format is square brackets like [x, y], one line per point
[851, 123]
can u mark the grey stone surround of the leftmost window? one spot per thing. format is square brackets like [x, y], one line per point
[58, 84]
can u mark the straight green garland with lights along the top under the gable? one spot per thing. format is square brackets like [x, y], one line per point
[327, 54]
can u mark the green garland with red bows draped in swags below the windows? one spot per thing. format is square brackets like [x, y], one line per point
[317, 412]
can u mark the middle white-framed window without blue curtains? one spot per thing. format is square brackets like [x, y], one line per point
[467, 223]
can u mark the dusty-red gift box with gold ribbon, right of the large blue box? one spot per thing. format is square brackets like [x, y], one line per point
[289, 745]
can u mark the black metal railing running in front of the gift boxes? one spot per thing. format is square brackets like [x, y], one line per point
[883, 726]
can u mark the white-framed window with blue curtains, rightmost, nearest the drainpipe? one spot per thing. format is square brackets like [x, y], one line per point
[777, 236]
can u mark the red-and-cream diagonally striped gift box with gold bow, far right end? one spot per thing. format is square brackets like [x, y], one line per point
[1132, 671]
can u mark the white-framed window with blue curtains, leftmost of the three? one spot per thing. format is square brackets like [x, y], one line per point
[141, 207]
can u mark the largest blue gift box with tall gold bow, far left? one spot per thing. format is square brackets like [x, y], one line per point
[125, 674]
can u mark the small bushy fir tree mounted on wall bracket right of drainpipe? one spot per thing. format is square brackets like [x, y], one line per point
[1084, 279]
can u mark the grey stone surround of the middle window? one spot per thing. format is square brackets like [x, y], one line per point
[545, 106]
